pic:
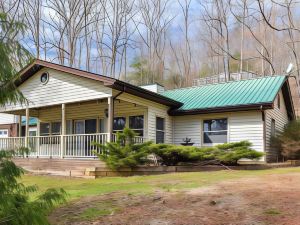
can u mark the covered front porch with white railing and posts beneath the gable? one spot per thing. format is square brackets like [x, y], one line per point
[68, 130]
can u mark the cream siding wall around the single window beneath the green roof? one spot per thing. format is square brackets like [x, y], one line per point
[241, 126]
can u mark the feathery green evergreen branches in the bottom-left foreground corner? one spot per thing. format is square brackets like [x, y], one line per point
[15, 204]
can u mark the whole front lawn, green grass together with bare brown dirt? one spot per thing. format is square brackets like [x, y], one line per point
[223, 197]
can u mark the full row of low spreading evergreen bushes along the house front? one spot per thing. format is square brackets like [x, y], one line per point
[124, 153]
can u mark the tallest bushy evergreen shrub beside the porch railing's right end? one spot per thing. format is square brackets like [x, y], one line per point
[123, 152]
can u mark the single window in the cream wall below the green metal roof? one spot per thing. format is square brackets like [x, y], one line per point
[215, 131]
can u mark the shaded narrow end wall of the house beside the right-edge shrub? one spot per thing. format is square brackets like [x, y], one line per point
[281, 119]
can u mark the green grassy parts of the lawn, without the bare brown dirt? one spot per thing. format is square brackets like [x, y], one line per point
[137, 185]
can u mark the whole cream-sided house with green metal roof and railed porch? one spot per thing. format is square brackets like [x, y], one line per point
[75, 107]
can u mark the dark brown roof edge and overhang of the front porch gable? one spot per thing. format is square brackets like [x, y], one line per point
[37, 65]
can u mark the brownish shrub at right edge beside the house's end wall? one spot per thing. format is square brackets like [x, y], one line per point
[288, 141]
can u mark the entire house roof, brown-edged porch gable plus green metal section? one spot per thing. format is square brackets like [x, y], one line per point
[253, 94]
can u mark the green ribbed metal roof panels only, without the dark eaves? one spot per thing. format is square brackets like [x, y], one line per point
[233, 93]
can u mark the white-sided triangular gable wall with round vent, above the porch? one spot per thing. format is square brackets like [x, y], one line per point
[61, 88]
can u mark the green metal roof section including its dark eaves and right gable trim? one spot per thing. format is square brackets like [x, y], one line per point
[232, 96]
